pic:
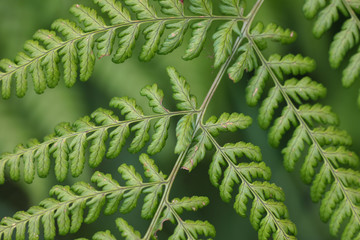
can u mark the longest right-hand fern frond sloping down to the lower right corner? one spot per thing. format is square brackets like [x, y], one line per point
[315, 126]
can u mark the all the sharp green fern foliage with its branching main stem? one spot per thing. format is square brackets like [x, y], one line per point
[289, 107]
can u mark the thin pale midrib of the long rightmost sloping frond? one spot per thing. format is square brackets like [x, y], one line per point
[305, 126]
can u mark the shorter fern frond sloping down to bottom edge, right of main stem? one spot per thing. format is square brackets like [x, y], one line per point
[267, 208]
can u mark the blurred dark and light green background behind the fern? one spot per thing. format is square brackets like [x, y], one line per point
[36, 115]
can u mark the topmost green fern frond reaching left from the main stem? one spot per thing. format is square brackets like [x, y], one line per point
[78, 44]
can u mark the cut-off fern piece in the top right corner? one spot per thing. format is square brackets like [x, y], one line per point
[345, 39]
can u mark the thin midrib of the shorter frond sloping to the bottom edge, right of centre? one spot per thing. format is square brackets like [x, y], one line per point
[244, 180]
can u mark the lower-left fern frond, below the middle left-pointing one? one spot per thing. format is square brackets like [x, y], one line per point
[68, 204]
